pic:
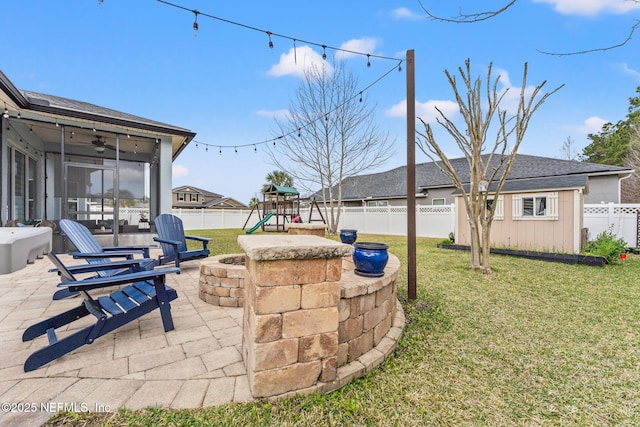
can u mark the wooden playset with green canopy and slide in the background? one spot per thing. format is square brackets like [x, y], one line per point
[280, 205]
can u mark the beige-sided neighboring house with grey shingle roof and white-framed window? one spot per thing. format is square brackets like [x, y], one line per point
[540, 206]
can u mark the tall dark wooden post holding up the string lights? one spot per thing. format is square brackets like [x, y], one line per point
[411, 176]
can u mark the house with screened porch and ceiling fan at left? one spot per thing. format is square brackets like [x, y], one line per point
[64, 158]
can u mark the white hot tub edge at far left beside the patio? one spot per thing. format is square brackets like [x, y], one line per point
[22, 245]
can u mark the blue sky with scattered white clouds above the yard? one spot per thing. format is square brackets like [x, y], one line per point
[227, 85]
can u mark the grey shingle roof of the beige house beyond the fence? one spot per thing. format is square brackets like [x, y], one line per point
[548, 173]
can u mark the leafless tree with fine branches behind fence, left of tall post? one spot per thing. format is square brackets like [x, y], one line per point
[330, 134]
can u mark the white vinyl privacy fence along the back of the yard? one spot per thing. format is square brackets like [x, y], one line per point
[431, 221]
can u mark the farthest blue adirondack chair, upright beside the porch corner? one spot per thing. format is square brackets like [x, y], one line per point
[174, 242]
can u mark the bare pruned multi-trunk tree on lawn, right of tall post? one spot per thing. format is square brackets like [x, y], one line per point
[487, 174]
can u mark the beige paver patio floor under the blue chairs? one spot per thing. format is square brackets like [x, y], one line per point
[197, 364]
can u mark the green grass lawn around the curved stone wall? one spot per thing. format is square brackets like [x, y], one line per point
[533, 344]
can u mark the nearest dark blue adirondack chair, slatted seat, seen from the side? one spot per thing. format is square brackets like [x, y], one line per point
[145, 292]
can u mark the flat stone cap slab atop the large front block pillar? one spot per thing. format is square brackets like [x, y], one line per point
[285, 246]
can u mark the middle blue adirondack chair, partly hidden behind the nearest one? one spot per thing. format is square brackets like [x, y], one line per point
[90, 250]
